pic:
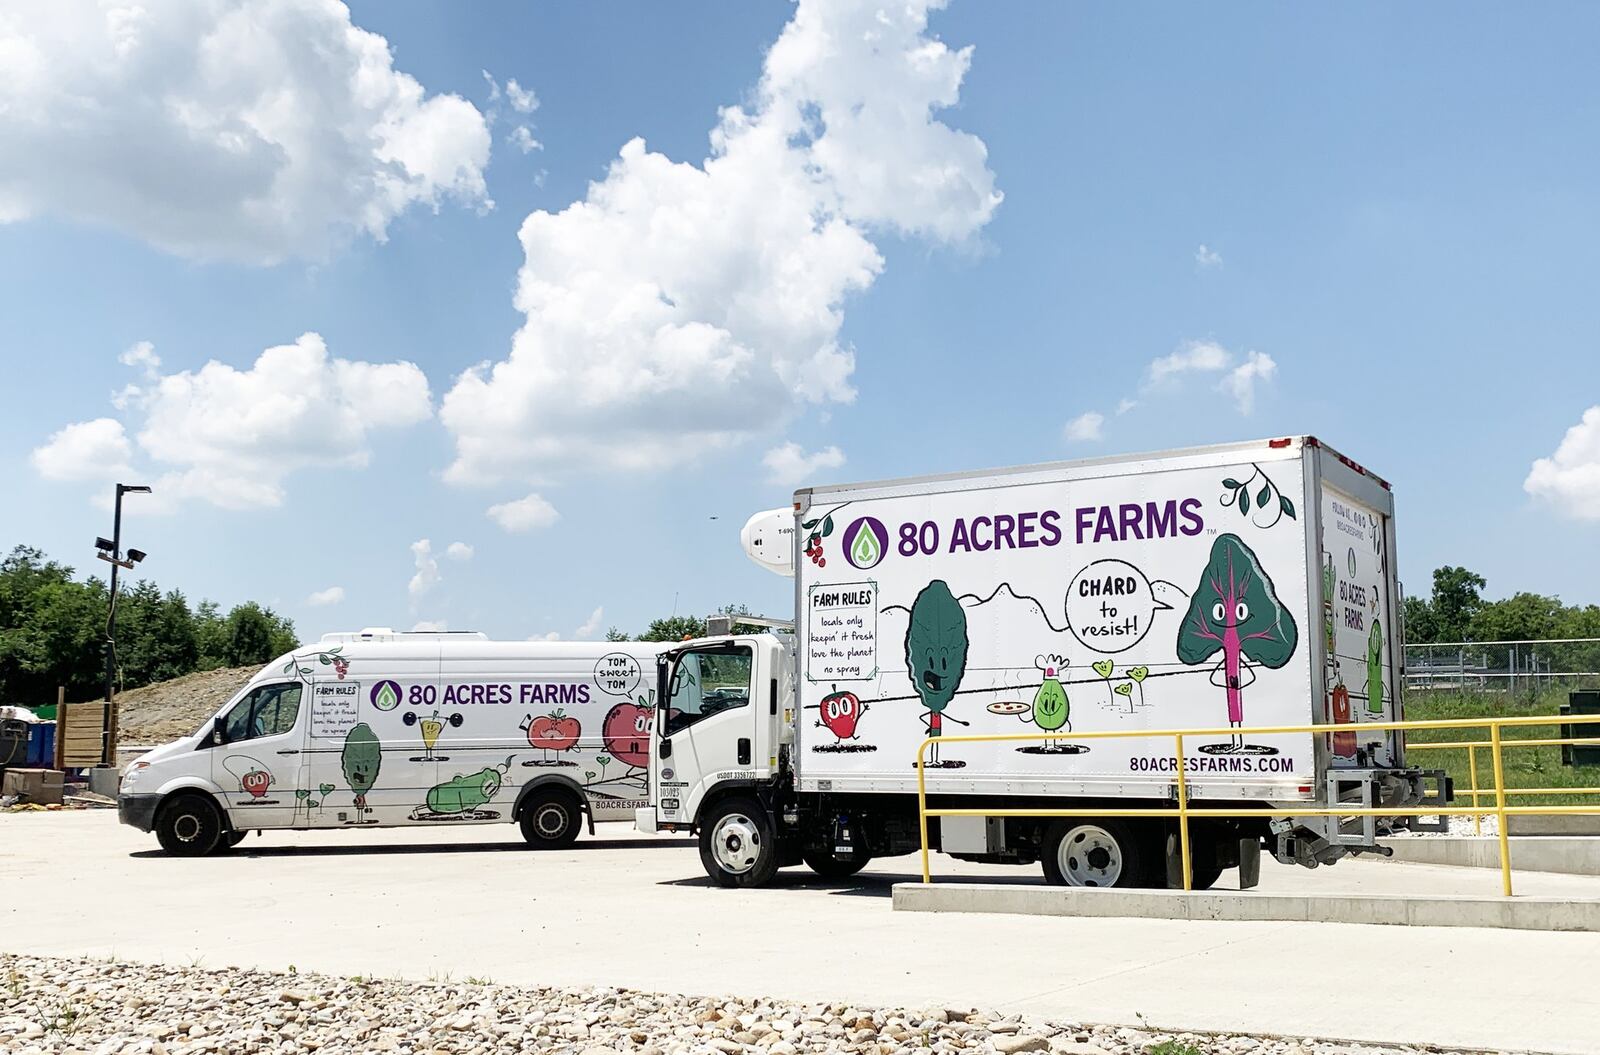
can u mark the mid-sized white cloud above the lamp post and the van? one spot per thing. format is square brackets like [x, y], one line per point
[231, 436]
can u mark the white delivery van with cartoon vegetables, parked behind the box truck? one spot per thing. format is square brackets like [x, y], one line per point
[393, 729]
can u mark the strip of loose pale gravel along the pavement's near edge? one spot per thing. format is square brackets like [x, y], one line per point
[111, 1008]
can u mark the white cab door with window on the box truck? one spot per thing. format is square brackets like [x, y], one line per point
[708, 728]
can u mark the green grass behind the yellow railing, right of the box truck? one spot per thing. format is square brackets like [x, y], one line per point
[1526, 768]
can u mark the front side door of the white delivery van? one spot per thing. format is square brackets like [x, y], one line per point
[260, 758]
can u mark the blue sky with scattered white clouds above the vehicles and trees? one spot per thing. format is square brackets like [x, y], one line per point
[1398, 211]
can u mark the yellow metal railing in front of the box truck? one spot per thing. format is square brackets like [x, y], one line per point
[1183, 812]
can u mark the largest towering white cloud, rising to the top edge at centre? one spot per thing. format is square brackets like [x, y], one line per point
[679, 307]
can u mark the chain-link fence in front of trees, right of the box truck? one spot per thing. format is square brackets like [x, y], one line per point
[1505, 668]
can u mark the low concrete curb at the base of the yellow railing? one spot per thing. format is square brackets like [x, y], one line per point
[1361, 909]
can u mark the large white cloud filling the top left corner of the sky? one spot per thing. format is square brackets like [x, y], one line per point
[252, 130]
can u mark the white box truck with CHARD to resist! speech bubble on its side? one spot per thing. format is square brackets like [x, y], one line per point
[1239, 587]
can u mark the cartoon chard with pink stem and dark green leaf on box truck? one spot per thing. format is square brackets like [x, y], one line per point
[1236, 611]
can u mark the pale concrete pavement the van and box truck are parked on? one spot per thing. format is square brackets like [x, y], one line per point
[636, 912]
